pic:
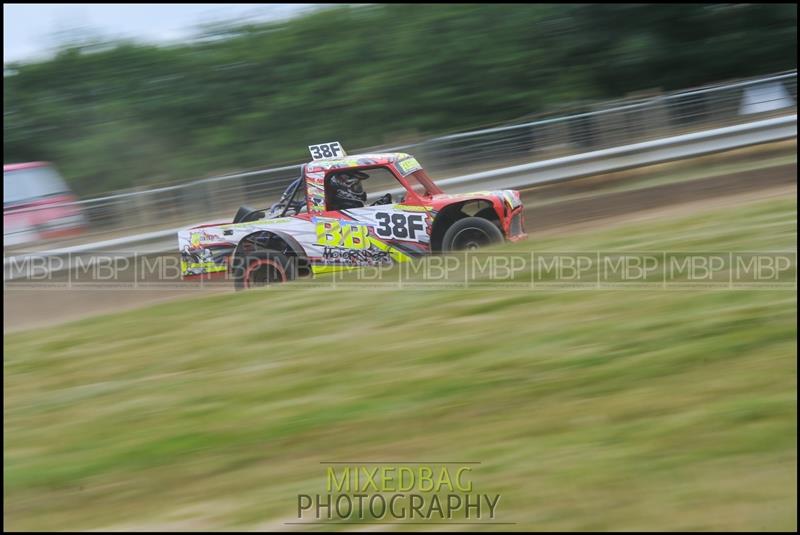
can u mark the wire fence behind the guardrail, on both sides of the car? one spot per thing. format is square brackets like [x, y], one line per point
[585, 128]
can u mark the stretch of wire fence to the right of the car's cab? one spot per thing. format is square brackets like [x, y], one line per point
[612, 124]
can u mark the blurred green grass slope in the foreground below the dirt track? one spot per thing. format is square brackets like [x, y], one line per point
[588, 409]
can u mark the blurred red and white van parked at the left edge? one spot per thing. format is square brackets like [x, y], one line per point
[38, 204]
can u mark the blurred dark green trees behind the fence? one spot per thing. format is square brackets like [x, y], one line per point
[122, 114]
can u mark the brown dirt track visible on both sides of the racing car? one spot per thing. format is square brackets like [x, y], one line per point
[27, 308]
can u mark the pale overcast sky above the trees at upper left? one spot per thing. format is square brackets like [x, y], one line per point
[30, 30]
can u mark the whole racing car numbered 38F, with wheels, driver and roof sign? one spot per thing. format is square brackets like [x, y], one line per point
[320, 226]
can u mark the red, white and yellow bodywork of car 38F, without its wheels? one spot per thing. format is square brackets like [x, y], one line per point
[374, 231]
